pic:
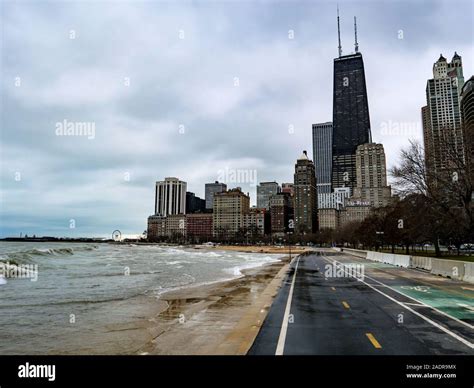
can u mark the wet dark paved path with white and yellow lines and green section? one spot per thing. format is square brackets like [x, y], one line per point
[365, 308]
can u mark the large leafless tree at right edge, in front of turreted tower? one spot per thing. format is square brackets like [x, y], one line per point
[445, 193]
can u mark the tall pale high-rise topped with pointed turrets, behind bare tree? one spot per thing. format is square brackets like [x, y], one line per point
[442, 131]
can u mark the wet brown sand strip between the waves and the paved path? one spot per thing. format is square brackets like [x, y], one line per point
[219, 318]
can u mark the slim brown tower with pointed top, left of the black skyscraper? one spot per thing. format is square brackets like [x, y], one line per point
[306, 196]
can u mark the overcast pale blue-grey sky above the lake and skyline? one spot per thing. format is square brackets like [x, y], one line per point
[101, 99]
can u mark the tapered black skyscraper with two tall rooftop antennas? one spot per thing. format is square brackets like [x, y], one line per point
[351, 122]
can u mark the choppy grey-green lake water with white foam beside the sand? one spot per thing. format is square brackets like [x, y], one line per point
[99, 283]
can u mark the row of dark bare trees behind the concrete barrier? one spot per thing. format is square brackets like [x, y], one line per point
[435, 204]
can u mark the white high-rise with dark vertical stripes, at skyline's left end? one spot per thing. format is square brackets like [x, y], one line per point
[170, 197]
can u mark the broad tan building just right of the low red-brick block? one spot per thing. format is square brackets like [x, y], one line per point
[229, 210]
